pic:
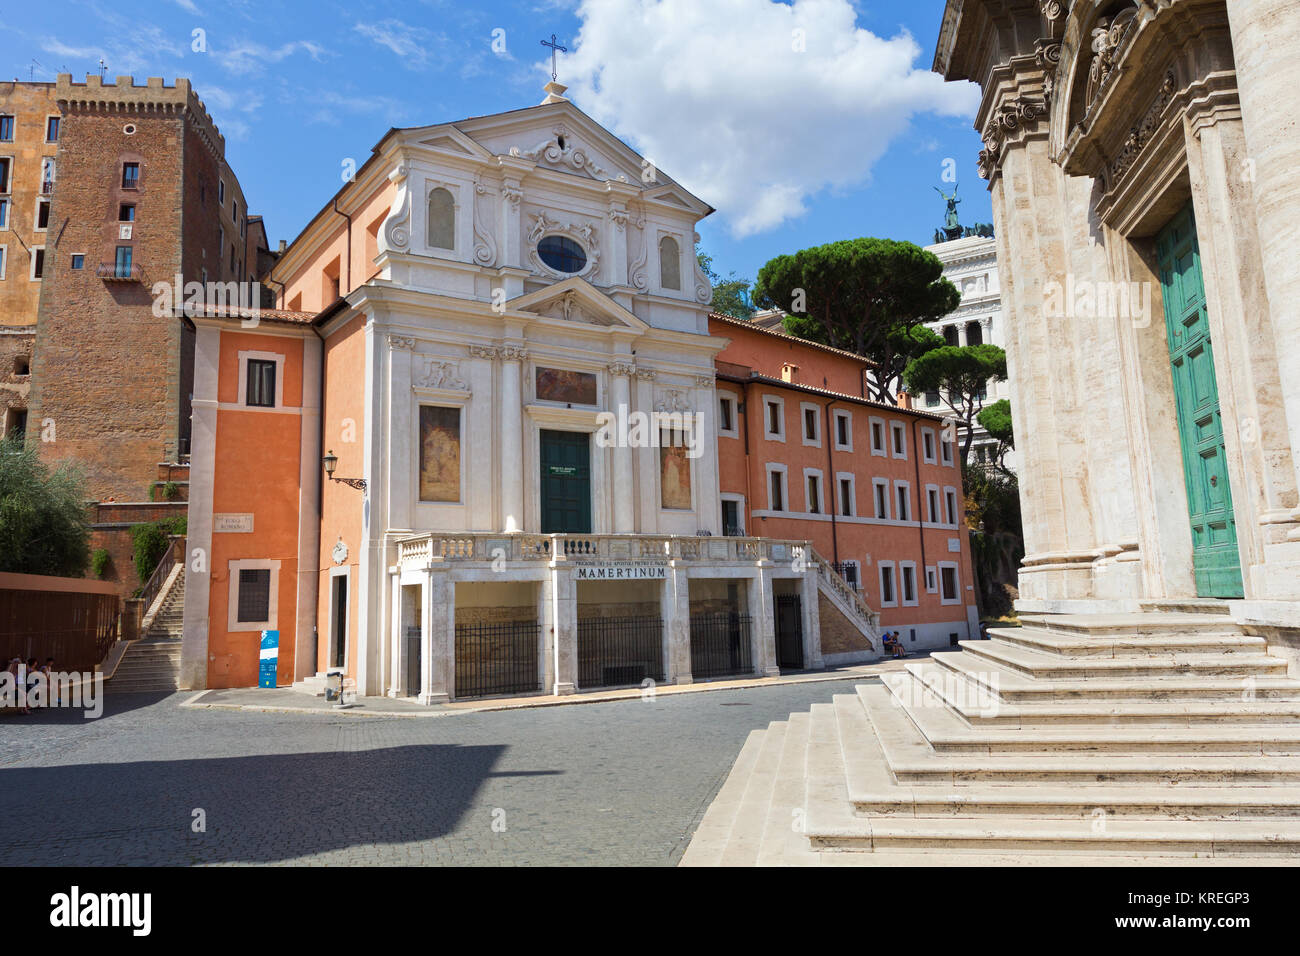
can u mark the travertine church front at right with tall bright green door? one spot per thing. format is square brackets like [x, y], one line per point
[1142, 162]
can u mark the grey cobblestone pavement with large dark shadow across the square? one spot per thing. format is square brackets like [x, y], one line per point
[610, 784]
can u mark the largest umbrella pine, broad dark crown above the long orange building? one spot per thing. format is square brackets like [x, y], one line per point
[865, 296]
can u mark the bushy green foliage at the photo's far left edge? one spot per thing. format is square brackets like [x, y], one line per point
[44, 525]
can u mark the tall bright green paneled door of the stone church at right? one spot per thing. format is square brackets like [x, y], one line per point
[1201, 426]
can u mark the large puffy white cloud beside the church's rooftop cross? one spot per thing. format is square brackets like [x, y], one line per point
[718, 97]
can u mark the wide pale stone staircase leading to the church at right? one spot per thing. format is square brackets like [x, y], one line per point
[1132, 739]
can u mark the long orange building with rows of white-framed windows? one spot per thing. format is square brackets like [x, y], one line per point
[804, 455]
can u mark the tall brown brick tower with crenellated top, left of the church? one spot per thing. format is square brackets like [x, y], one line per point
[142, 193]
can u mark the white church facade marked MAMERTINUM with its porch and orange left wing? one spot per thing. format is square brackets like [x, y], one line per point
[496, 338]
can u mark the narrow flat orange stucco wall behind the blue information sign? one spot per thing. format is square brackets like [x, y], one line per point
[257, 471]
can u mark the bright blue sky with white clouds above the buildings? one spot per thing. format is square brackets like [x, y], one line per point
[803, 123]
